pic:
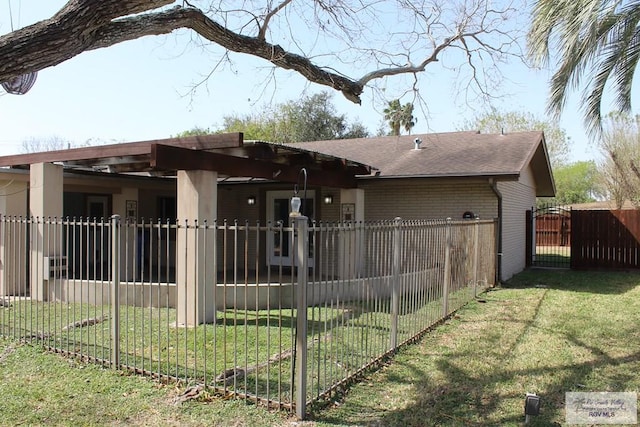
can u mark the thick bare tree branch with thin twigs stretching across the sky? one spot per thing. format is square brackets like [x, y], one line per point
[83, 25]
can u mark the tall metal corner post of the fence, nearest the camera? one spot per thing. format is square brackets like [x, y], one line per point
[301, 247]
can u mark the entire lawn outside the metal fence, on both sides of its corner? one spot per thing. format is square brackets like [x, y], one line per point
[547, 332]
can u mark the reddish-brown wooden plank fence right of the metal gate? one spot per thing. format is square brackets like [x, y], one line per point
[605, 239]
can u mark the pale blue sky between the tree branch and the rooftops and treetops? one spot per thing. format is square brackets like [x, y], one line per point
[149, 89]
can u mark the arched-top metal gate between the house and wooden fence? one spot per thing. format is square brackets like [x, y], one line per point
[549, 237]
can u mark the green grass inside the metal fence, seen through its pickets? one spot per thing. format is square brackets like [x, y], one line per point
[342, 339]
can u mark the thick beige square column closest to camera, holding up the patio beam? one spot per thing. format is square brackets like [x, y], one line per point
[197, 200]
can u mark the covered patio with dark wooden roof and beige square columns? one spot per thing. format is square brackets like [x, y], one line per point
[66, 254]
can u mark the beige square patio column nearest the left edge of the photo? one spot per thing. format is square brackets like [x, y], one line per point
[45, 201]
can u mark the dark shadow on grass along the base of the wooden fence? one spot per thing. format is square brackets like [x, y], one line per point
[597, 282]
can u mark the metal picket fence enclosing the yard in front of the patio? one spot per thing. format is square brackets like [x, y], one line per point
[284, 336]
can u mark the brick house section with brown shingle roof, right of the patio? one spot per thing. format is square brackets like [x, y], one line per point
[448, 175]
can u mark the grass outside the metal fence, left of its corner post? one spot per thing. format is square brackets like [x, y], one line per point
[39, 388]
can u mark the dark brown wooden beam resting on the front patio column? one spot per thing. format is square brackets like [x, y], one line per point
[176, 158]
